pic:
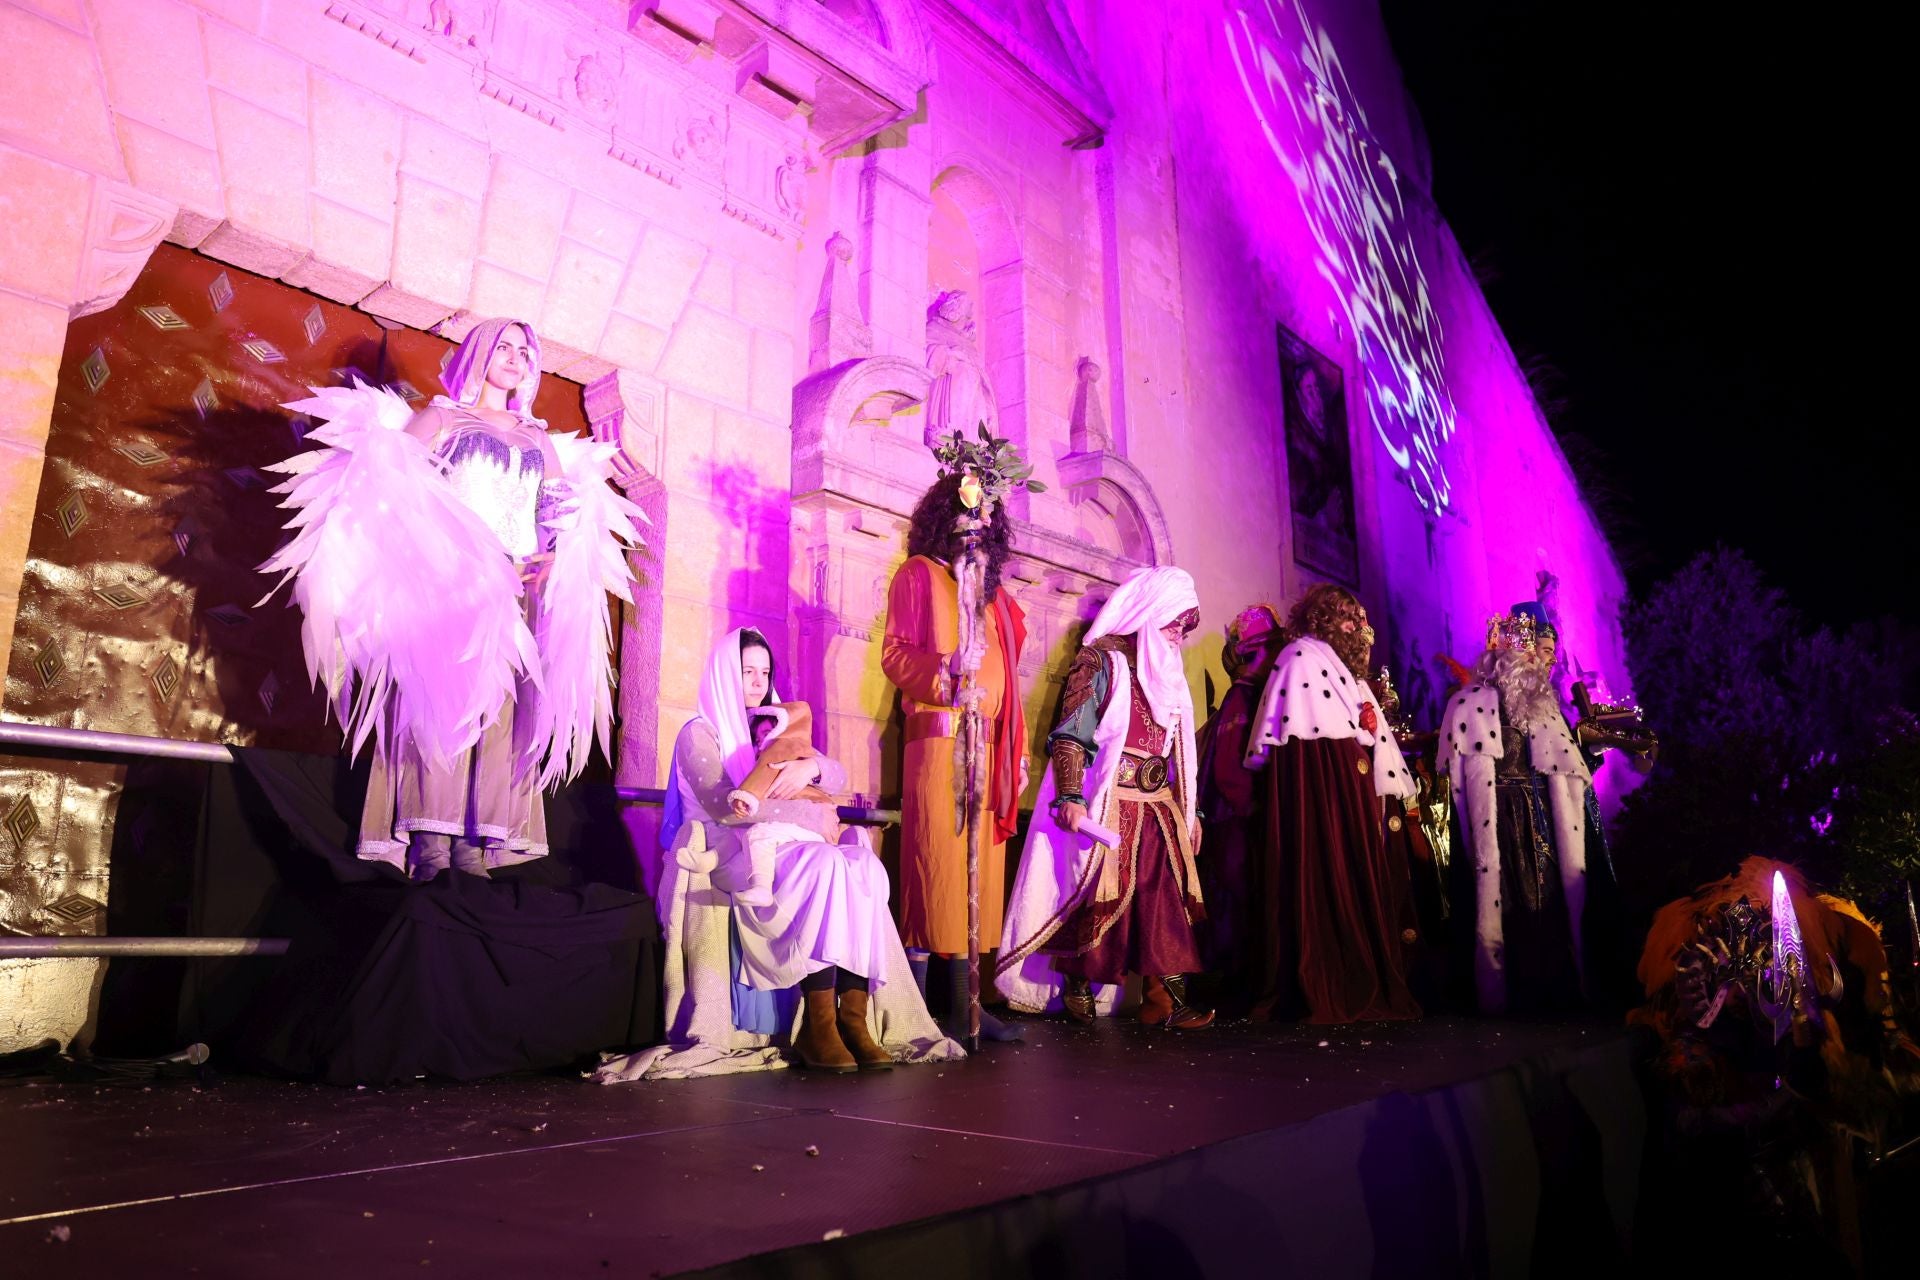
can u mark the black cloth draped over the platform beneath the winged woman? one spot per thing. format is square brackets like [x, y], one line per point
[387, 982]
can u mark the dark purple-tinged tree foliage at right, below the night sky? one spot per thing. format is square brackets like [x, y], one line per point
[1777, 740]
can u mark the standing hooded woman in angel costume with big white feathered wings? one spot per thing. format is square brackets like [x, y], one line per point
[454, 567]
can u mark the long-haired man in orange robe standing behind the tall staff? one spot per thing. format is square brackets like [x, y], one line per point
[921, 657]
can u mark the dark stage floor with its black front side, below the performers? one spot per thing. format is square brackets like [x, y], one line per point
[1316, 1141]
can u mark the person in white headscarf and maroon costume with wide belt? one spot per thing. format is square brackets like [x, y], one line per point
[1086, 914]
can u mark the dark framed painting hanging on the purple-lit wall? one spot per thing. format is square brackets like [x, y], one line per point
[1320, 462]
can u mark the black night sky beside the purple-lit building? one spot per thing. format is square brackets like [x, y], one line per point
[1689, 218]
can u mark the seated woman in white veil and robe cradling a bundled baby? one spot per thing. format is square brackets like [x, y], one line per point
[815, 920]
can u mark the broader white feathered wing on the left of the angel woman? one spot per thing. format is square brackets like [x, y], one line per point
[412, 607]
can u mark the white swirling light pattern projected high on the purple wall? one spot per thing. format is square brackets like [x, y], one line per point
[1351, 197]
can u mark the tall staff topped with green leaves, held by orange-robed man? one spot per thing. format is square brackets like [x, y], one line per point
[990, 469]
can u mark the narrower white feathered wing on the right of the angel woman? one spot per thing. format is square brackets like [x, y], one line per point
[573, 619]
